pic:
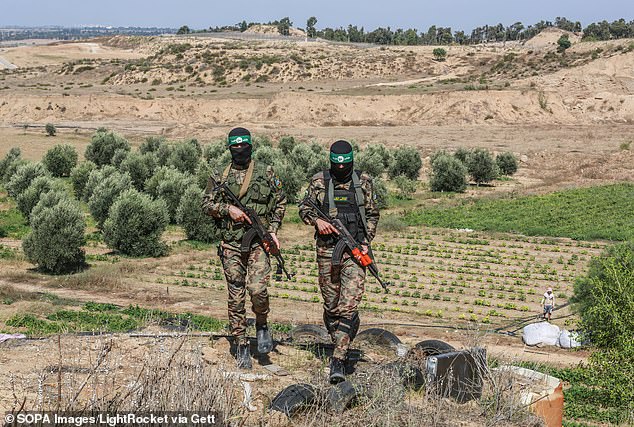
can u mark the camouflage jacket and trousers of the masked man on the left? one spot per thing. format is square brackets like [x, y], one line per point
[250, 271]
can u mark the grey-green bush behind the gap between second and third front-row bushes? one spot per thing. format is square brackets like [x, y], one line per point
[169, 184]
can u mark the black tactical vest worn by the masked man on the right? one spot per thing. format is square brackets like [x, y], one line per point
[346, 205]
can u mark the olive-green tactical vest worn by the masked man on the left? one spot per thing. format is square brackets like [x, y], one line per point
[256, 193]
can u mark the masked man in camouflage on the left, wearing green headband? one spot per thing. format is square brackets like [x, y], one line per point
[259, 188]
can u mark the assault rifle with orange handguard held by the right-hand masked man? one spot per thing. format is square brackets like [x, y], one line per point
[347, 242]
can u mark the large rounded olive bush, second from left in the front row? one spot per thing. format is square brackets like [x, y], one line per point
[135, 225]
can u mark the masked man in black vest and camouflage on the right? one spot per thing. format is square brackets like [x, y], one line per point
[348, 195]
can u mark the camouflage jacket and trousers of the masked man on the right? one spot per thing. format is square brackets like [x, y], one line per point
[342, 298]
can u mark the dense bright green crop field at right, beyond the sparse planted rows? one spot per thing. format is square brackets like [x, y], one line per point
[605, 212]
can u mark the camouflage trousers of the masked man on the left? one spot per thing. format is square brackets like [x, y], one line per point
[251, 273]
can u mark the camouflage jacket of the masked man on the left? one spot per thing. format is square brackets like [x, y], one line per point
[264, 195]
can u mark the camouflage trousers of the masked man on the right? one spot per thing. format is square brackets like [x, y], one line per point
[341, 299]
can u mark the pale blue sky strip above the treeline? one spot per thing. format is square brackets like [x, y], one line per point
[457, 14]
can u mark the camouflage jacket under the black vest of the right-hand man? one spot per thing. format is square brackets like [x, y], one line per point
[317, 191]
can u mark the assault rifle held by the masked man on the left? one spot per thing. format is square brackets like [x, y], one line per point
[256, 230]
